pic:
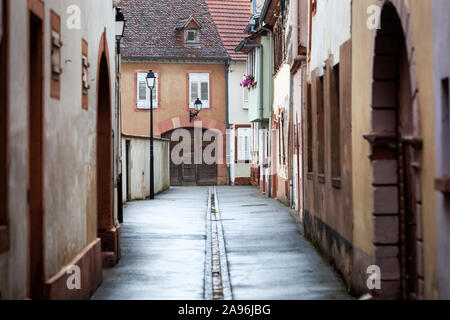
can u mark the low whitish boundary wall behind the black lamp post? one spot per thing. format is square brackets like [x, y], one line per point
[139, 167]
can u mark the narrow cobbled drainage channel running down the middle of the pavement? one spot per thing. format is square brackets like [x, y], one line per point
[217, 281]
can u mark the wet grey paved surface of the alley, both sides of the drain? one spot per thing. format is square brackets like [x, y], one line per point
[165, 244]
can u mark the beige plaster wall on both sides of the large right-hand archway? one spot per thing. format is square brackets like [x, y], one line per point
[421, 29]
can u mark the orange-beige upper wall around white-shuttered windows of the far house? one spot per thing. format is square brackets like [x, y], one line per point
[173, 94]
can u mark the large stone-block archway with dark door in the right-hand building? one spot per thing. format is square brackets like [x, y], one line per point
[396, 157]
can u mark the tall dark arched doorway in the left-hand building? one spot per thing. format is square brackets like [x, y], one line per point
[104, 155]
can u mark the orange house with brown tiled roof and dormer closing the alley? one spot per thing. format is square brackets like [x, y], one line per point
[190, 62]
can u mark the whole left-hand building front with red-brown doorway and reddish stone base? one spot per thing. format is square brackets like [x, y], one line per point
[58, 212]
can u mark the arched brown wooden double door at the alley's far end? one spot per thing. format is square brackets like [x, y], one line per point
[191, 173]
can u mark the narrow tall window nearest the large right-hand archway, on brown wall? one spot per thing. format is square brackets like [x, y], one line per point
[335, 124]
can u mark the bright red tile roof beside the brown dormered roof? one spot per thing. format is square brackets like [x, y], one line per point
[231, 17]
